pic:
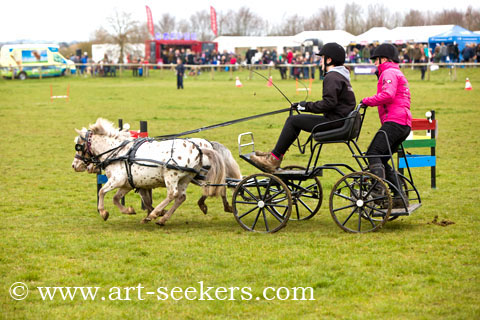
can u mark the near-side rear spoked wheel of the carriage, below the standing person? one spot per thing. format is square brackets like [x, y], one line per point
[360, 202]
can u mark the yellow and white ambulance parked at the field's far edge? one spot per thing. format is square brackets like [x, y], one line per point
[23, 61]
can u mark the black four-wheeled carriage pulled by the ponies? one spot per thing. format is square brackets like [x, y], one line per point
[265, 202]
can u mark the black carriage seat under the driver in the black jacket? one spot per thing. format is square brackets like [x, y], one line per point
[349, 131]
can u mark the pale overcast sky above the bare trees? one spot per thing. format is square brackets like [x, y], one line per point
[68, 20]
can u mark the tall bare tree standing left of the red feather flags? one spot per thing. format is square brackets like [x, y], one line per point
[123, 29]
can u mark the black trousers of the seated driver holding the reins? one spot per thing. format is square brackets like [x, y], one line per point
[294, 124]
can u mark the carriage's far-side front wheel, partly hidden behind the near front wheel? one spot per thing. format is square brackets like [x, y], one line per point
[307, 196]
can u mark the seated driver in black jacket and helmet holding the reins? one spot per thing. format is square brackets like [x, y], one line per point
[337, 102]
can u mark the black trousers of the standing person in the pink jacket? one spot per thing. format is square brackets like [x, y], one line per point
[396, 133]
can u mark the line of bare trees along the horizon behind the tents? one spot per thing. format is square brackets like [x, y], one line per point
[354, 19]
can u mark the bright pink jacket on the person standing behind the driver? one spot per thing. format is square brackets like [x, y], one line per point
[393, 95]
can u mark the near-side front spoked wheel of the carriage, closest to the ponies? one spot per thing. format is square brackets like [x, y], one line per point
[262, 203]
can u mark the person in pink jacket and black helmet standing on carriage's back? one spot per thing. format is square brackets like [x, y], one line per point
[393, 103]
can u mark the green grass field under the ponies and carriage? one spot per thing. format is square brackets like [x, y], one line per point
[52, 235]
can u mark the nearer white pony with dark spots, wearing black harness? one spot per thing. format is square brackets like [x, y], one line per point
[169, 163]
